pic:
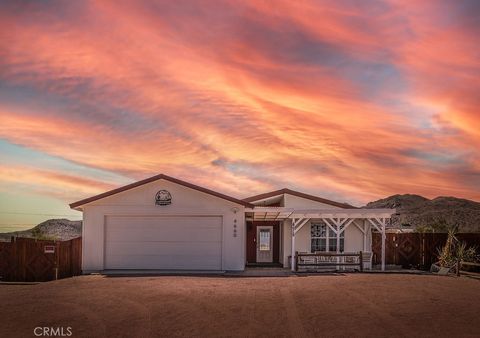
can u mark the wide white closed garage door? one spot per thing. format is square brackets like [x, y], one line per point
[173, 243]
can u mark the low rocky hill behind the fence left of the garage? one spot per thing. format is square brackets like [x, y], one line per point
[58, 229]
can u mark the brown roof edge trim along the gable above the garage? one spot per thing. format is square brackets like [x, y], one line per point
[156, 178]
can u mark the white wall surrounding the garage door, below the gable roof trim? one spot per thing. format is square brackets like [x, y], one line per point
[140, 201]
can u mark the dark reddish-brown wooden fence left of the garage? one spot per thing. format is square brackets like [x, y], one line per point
[30, 260]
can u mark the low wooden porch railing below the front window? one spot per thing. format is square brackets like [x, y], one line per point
[328, 259]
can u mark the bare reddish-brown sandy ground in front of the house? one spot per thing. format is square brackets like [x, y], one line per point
[352, 305]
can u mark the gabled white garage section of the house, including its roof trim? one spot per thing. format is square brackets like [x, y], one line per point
[162, 223]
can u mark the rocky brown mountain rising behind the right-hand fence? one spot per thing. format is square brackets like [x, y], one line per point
[438, 214]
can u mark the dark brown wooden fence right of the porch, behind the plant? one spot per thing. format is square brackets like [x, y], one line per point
[415, 250]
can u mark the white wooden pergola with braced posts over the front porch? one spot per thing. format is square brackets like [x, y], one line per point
[336, 219]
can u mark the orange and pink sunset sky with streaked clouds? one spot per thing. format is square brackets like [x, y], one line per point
[348, 100]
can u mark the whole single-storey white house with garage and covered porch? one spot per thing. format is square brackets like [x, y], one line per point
[163, 223]
